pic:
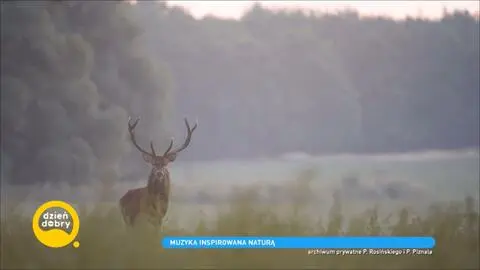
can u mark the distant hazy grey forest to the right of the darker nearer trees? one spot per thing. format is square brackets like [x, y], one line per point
[281, 82]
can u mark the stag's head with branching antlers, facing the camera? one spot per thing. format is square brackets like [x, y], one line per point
[169, 155]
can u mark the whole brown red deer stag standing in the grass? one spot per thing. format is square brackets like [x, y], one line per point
[153, 199]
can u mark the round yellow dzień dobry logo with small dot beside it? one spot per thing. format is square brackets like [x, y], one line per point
[56, 224]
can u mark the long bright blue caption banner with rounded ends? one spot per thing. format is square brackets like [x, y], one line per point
[340, 242]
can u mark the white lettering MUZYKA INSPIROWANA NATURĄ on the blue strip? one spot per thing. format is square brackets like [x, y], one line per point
[222, 243]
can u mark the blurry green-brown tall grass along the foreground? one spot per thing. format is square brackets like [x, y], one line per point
[107, 244]
